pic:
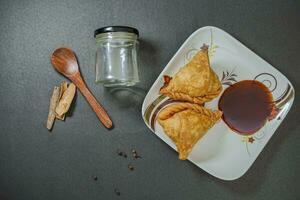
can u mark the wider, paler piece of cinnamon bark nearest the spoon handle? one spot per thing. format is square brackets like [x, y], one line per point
[66, 100]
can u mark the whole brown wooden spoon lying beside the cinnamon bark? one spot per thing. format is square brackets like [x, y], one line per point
[65, 62]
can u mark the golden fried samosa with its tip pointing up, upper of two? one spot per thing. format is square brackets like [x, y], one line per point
[196, 82]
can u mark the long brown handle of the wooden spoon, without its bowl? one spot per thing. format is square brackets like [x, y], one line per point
[98, 109]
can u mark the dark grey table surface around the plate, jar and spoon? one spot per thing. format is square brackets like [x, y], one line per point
[37, 164]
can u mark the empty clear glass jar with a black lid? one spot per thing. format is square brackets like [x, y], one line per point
[116, 56]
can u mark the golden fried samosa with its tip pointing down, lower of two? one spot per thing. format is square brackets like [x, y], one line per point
[186, 123]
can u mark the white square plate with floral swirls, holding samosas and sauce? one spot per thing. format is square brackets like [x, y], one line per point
[222, 152]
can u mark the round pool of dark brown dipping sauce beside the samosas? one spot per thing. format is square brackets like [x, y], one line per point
[246, 106]
